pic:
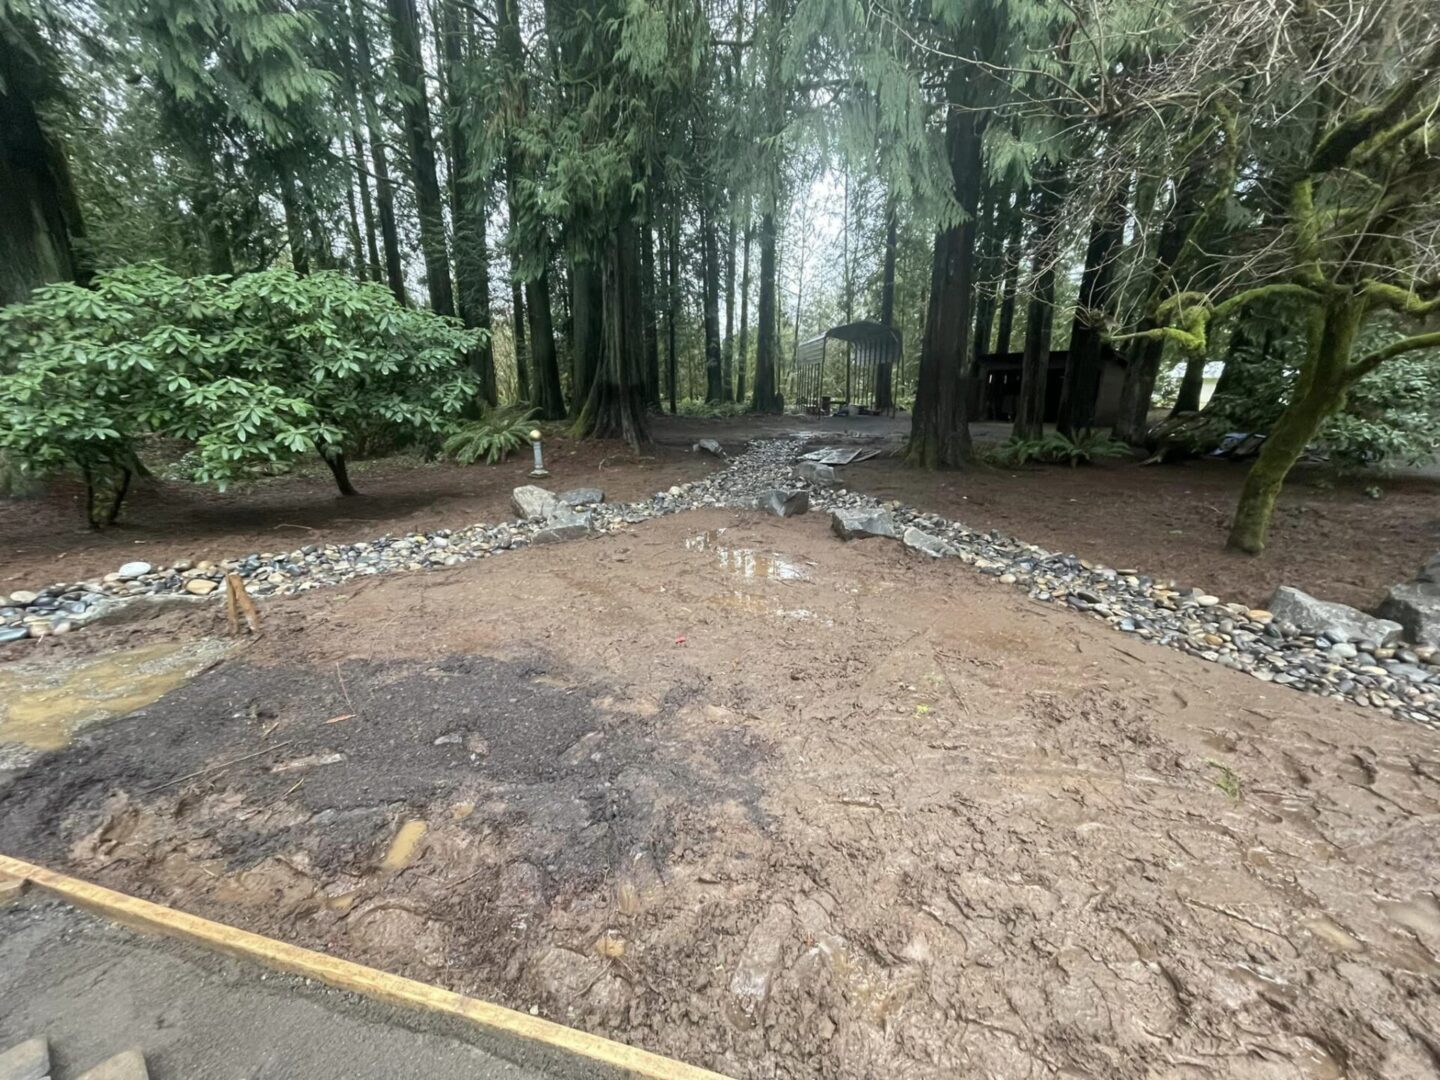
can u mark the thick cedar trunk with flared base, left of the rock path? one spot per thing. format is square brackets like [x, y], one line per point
[616, 407]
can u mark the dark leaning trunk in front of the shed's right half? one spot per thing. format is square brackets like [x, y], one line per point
[1085, 362]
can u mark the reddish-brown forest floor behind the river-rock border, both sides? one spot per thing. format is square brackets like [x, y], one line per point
[1330, 538]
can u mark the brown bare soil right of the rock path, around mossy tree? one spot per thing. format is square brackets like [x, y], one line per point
[1330, 538]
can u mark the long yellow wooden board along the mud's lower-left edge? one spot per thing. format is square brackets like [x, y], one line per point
[349, 977]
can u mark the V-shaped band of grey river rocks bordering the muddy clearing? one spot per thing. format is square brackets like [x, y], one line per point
[1406, 682]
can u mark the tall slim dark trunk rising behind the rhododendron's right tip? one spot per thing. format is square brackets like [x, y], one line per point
[469, 208]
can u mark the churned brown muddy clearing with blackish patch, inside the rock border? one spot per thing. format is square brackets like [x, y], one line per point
[745, 796]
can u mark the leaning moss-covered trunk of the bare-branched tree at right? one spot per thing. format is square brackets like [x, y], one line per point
[1320, 391]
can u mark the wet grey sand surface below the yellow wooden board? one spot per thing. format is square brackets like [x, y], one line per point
[96, 990]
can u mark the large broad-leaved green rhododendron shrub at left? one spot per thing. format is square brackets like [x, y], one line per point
[248, 371]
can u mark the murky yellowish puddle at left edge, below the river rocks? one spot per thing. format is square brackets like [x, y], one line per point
[44, 706]
